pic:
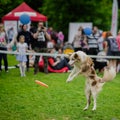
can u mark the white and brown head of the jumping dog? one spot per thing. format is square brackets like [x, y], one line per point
[77, 58]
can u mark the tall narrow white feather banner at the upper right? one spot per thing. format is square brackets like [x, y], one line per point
[114, 18]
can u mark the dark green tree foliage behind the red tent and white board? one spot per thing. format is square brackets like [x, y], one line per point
[61, 12]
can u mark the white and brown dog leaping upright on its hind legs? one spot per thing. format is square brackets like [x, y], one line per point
[84, 65]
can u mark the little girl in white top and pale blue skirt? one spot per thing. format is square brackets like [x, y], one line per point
[21, 57]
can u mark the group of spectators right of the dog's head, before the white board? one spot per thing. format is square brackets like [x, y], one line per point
[101, 43]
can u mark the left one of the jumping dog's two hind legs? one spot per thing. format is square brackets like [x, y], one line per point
[88, 96]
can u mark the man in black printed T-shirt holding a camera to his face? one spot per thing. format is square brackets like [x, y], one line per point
[40, 36]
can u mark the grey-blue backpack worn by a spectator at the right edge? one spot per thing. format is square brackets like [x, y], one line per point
[113, 45]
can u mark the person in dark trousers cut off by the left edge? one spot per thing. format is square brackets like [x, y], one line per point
[3, 46]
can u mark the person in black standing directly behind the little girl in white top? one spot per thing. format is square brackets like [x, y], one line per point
[28, 37]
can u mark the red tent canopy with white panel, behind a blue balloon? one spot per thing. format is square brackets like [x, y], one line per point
[24, 8]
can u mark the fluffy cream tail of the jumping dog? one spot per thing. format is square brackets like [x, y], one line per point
[109, 74]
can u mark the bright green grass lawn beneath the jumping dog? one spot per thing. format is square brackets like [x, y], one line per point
[23, 99]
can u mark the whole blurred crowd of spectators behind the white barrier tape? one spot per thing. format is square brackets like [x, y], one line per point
[40, 39]
